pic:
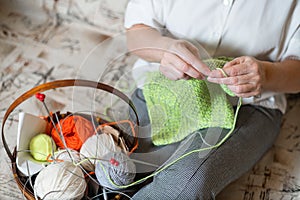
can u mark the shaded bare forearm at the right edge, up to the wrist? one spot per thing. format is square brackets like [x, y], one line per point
[282, 76]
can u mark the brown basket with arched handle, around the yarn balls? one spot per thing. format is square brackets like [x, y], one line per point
[19, 177]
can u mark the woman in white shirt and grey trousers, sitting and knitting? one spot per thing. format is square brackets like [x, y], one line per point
[263, 37]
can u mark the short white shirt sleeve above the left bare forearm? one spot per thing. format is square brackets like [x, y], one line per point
[148, 12]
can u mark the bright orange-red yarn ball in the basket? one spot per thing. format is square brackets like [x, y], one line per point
[75, 129]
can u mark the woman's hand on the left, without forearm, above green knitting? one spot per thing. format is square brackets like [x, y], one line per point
[182, 61]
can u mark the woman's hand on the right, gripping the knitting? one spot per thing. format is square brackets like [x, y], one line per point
[245, 76]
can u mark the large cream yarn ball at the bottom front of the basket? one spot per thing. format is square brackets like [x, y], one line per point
[61, 180]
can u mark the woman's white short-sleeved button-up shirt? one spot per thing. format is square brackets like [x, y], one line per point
[265, 29]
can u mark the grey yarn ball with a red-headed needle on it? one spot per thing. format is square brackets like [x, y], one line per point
[117, 168]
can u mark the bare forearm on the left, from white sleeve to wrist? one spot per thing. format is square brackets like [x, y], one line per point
[147, 43]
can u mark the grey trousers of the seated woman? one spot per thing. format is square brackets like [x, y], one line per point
[203, 175]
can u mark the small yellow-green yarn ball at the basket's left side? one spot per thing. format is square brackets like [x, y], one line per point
[41, 146]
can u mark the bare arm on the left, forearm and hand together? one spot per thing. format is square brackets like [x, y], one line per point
[179, 59]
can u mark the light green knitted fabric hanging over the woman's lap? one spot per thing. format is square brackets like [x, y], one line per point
[178, 108]
